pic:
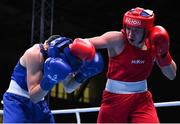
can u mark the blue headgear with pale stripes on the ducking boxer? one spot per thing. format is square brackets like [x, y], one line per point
[57, 46]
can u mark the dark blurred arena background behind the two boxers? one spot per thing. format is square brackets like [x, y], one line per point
[21, 25]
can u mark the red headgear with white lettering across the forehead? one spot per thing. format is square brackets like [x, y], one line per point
[139, 17]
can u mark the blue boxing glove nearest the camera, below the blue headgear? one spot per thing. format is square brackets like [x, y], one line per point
[55, 70]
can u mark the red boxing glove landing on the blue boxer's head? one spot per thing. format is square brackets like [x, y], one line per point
[83, 49]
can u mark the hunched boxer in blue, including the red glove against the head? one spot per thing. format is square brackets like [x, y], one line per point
[39, 69]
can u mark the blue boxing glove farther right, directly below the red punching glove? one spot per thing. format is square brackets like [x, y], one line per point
[90, 68]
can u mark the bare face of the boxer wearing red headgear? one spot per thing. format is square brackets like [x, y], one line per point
[135, 35]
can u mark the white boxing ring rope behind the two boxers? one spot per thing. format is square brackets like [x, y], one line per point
[95, 109]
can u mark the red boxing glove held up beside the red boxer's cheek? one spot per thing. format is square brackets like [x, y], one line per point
[160, 39]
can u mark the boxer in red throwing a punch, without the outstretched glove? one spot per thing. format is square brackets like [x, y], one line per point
[132, 53]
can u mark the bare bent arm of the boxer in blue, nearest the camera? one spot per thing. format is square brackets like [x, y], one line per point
[32, 61]
